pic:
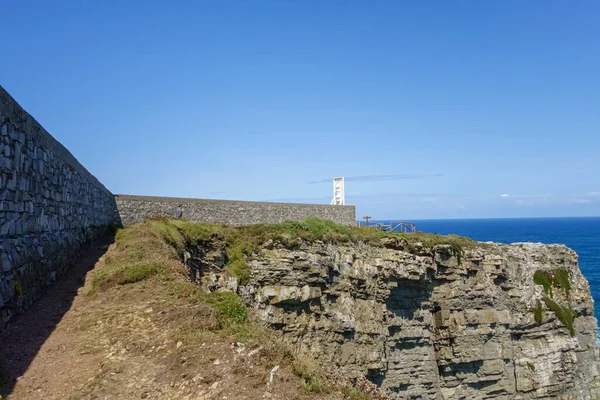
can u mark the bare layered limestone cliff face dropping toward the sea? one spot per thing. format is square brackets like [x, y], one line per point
[427, 326]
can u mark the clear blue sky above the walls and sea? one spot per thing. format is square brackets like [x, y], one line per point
[437, 109]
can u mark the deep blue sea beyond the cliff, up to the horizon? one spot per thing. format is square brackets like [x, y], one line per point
[579, 234]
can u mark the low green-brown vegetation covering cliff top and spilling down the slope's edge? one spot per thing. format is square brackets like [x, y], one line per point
[146, 259]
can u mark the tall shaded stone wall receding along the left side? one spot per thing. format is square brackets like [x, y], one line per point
[50, 206]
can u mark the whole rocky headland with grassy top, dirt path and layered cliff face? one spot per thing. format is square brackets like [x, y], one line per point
[308, 310]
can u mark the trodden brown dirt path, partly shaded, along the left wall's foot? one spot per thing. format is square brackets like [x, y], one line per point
[37, 353]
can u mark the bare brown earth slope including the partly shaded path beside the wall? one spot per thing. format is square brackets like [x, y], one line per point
[139, 341]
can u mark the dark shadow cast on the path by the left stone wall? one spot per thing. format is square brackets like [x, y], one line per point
[26, 333]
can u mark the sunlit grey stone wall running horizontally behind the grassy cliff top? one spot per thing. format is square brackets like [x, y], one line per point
[136, 208]
